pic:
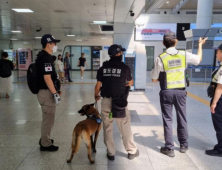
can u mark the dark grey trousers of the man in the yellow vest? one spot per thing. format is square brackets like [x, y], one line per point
[168, 98]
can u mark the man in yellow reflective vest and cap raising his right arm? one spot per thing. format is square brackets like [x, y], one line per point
[169, 70]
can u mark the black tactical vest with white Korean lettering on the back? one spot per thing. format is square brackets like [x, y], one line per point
[114, 79]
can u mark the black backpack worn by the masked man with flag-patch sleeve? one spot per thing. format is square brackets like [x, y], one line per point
[32, 78]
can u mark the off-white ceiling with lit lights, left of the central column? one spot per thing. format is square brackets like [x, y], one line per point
[58, 17]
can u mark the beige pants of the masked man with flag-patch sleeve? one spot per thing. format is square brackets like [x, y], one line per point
[47, 102]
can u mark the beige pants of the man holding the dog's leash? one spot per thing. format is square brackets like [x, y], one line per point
[124, 125]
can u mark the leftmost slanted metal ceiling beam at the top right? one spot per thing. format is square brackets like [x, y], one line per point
[152, 5]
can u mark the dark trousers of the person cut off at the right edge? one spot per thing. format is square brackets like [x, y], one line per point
[217, 123]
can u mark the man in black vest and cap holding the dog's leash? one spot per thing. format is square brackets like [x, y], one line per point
[113, 79]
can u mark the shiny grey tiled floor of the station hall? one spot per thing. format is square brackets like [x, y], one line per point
[20, 121]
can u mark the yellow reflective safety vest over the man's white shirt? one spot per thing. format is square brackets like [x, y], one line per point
[174, 71]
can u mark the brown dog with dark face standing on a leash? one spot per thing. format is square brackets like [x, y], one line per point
[85, 130]
